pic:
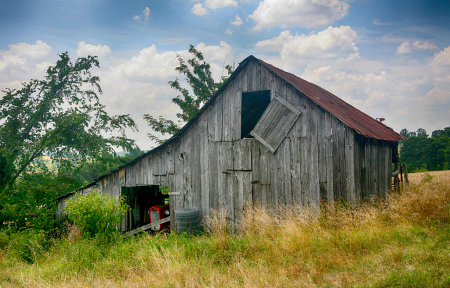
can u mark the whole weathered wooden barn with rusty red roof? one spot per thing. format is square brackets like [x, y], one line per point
[266, 136]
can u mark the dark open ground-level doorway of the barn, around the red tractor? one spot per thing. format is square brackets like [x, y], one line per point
[141, 199]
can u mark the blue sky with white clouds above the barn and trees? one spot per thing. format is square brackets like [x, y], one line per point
[390, 59]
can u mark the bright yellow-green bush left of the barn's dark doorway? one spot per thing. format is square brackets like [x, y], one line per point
[97, 215]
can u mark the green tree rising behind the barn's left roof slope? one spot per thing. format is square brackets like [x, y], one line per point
[202, 88]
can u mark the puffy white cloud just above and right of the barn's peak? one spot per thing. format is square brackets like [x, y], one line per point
[333, 42]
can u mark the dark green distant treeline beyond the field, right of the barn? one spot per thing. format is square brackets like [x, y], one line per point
[421, 152]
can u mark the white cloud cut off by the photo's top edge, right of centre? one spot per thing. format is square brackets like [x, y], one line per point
[301, 13]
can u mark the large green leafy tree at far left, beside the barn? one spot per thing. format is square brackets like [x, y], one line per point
[59, 116]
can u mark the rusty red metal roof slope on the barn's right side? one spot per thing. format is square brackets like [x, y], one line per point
[356, 119]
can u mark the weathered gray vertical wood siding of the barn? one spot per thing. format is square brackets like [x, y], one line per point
[320, 159]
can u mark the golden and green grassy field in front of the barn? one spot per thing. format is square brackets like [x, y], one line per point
[403, 241]
